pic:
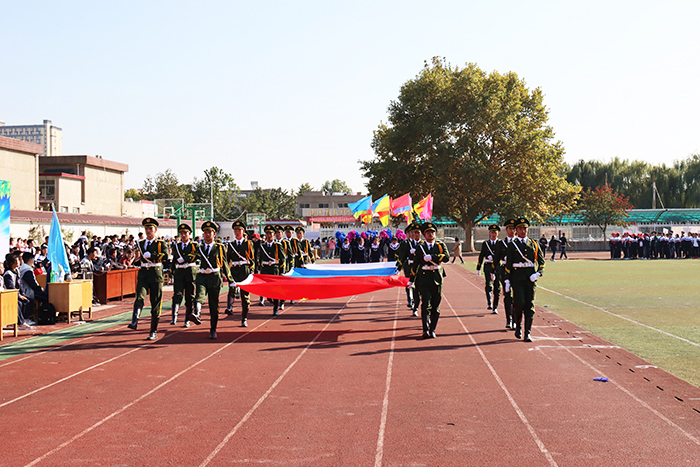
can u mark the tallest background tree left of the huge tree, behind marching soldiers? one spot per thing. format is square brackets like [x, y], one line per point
[222, 186]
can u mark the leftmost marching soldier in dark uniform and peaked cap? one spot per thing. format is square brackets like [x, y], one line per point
[150, 276]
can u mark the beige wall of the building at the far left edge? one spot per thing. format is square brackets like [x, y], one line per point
[21, 170]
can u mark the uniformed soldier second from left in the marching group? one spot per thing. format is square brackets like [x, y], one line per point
[184, 271]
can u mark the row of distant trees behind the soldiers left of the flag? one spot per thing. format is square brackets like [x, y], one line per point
[276, 203]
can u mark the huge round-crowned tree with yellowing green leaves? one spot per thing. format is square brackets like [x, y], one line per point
[478, 142]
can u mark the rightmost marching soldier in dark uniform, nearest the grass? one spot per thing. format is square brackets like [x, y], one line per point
[524, 265]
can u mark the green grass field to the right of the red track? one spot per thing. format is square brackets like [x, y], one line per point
[650, 308]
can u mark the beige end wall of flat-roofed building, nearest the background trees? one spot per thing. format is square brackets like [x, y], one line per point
[104, 191]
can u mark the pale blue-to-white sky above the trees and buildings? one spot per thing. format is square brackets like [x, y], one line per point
[290, 92]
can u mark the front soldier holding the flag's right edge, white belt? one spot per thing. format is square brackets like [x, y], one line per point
[430, 254]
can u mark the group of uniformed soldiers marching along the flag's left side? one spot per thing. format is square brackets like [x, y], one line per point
[200, 268]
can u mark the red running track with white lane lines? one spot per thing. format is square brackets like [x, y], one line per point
[348, 382]
